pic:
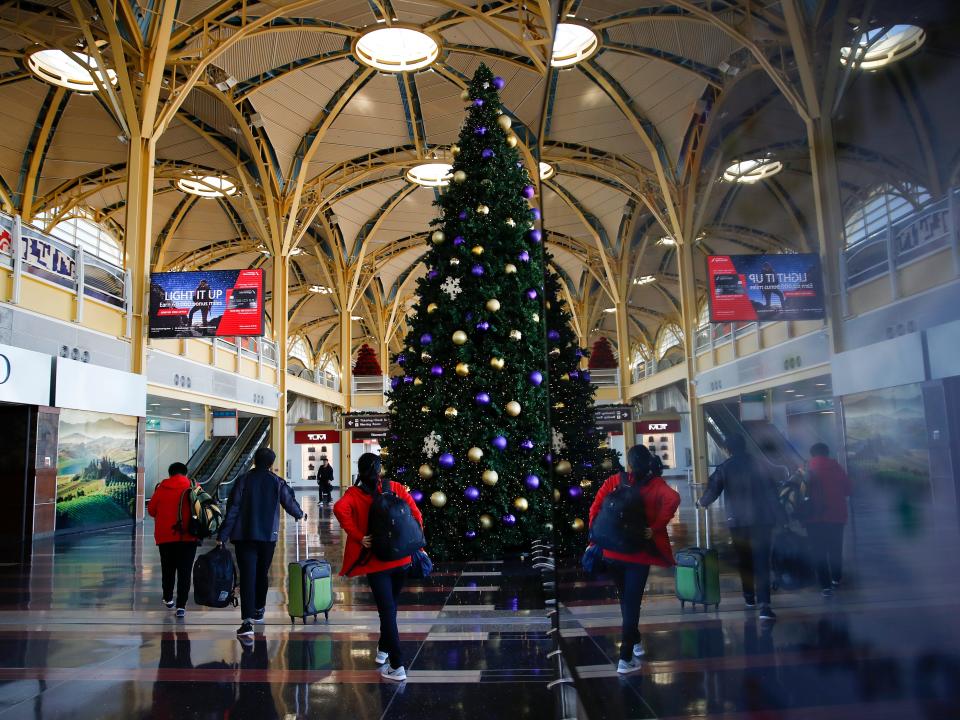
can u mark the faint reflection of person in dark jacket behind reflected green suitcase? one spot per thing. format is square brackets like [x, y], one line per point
[753, 510]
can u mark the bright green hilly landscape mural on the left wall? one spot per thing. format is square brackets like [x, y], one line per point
[96, 470]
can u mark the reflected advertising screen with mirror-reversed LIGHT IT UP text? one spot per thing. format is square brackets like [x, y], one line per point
[765, 287]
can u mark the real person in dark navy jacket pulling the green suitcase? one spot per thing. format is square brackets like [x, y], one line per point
[253, 525]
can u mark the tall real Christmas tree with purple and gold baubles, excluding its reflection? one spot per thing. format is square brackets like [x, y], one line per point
[470, 429]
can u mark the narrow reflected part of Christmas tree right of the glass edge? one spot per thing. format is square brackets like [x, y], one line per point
[580, 463]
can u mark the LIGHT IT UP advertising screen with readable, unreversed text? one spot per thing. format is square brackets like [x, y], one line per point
[206, 303]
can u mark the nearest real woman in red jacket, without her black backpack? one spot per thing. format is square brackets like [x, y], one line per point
[384, 577]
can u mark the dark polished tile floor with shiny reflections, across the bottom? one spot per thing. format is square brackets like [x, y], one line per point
[83, 635]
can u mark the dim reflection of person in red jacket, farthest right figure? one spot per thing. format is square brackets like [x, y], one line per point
[829, 489]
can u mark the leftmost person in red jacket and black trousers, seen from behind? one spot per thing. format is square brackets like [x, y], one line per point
[177, 546]
